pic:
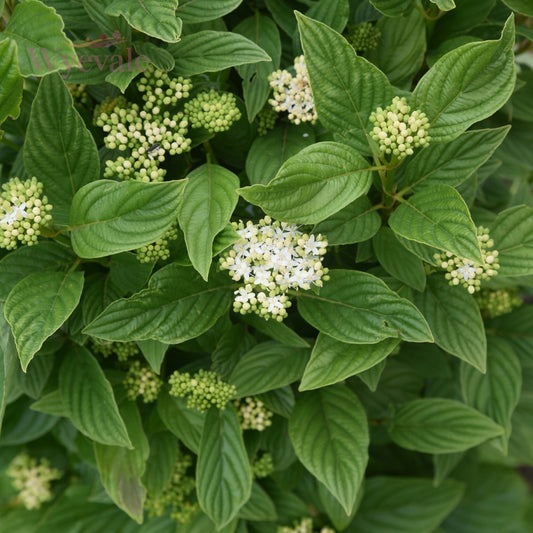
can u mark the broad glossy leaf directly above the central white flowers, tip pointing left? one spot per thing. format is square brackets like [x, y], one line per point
[312, 185]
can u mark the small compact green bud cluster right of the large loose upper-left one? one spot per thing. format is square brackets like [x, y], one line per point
[212, 110]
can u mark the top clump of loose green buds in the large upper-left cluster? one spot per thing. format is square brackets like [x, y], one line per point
[158, 89]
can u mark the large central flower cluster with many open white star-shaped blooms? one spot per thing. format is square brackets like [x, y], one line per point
[270, 258]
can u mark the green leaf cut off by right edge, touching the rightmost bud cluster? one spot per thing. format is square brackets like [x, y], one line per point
[512, 232]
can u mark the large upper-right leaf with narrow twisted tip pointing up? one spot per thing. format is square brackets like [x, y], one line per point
[466, 85]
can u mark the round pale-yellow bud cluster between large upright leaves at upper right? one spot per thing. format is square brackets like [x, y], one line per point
[397, 130]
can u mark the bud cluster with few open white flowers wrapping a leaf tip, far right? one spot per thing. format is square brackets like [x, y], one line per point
[467, 273]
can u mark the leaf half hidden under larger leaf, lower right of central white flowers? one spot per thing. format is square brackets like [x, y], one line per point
[333, 361]
